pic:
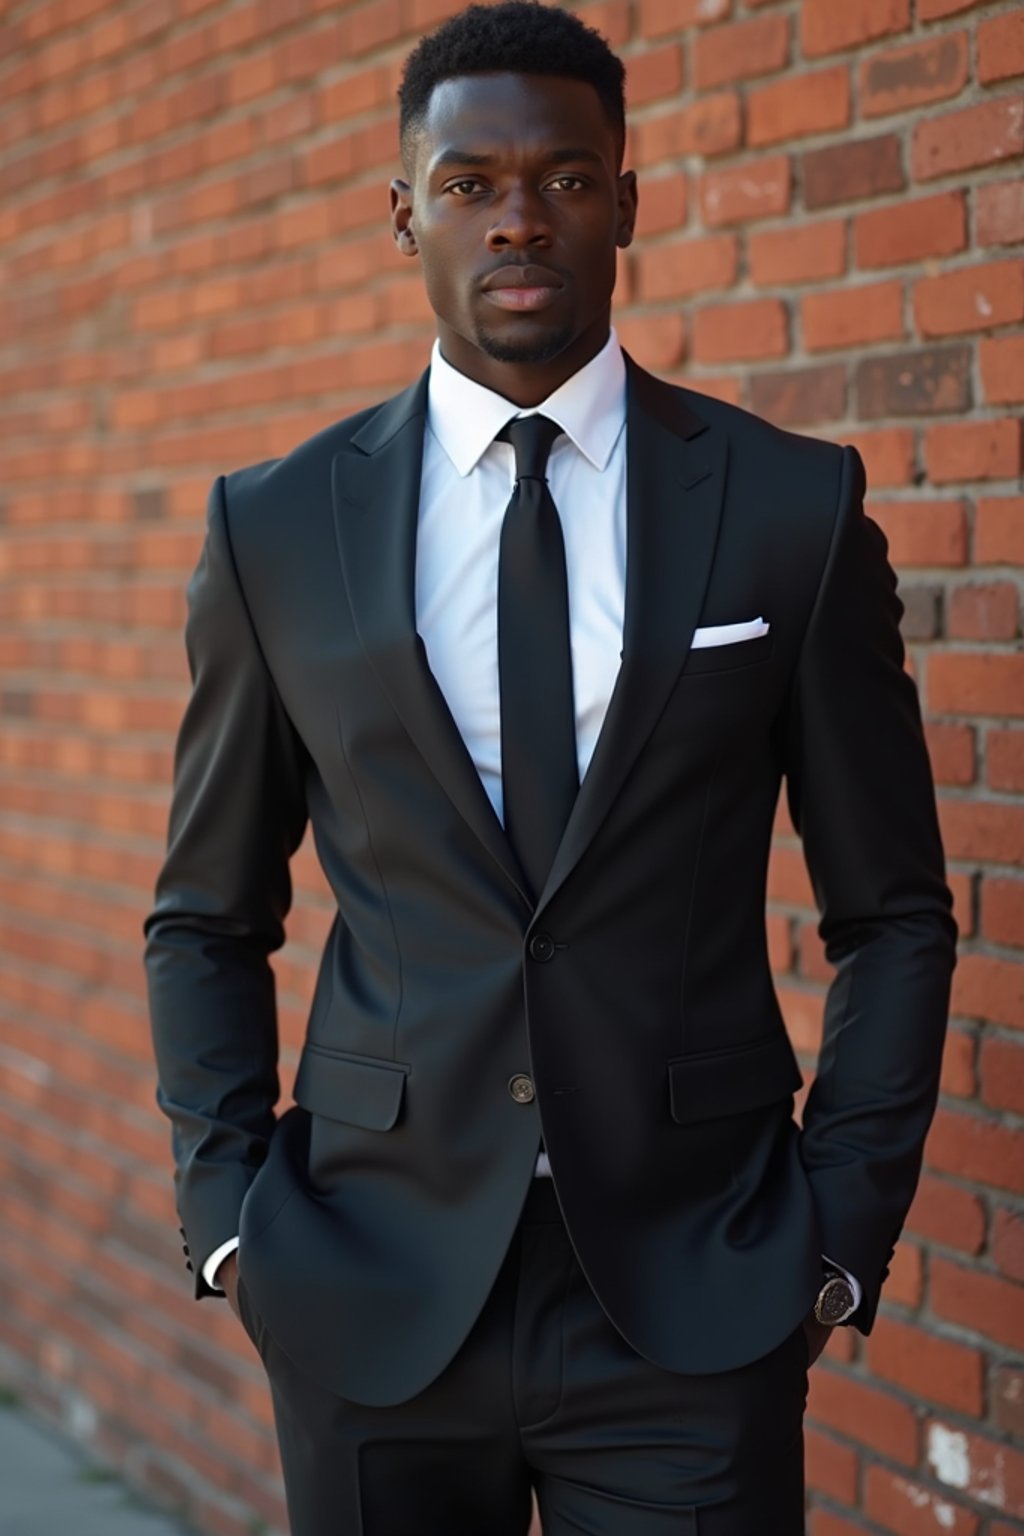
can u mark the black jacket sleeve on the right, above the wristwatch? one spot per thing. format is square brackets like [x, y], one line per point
[860, 793]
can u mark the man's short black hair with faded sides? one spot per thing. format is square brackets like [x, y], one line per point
[518, 38]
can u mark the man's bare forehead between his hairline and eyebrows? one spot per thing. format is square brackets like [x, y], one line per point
[515, 114]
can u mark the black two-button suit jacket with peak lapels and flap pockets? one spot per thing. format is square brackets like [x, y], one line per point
[636, 993]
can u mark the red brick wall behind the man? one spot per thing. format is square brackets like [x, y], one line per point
[197, 274]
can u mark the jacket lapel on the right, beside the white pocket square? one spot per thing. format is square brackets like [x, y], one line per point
[675, 488]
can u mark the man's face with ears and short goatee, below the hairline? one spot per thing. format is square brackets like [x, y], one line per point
[515, 208]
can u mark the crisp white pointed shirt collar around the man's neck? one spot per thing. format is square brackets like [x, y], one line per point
[590, 408]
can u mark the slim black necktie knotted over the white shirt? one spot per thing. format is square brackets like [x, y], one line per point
[535, 664]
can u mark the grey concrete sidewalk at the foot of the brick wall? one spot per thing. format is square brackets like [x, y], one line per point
[50, 1486]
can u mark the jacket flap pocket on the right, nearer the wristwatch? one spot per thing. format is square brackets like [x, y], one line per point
[733, 1082]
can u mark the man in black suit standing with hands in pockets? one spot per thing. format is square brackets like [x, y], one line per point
[533, 647]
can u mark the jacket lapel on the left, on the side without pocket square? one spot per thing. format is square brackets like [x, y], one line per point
[375, 486]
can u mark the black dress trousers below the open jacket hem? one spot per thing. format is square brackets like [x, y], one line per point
[547, 1397]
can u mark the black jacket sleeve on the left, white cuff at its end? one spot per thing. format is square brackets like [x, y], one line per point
[239, 813]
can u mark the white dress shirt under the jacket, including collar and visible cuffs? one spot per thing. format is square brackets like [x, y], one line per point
[467, 483]
